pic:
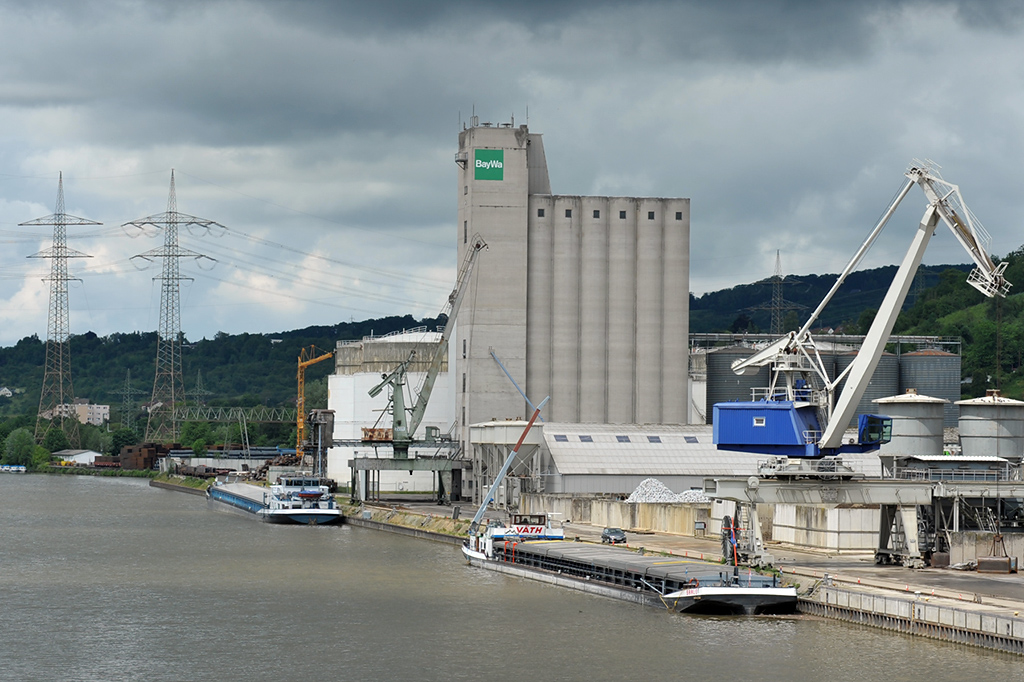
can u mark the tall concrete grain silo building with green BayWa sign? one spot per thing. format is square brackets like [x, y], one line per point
[585, 300]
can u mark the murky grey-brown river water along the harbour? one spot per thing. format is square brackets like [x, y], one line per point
[108, 579]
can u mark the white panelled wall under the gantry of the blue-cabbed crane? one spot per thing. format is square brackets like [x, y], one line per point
[840, 530]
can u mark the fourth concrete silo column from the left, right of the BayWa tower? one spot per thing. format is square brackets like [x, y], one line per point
[622, 315]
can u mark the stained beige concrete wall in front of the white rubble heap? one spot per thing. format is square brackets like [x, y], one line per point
[677, 519]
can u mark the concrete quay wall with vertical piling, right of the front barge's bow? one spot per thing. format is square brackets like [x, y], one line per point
[918, 617]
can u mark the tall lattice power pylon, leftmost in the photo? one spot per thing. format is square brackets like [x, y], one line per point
[58, 396]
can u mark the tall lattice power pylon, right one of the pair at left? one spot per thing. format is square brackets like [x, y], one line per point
[168, 387]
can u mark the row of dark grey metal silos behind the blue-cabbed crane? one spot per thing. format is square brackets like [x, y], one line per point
[934, 373]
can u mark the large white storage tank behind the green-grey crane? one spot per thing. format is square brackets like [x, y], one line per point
[359, 366]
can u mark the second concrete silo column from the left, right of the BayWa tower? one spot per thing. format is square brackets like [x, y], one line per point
[566, 318]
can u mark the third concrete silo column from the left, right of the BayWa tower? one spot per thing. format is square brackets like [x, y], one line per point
[593, 310]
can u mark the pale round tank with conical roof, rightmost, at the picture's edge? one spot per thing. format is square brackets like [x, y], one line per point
[993, 427]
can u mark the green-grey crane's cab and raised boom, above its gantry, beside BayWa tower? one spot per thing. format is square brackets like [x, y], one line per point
[404, 427]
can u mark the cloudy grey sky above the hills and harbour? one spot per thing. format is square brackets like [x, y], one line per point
[322, 136]
